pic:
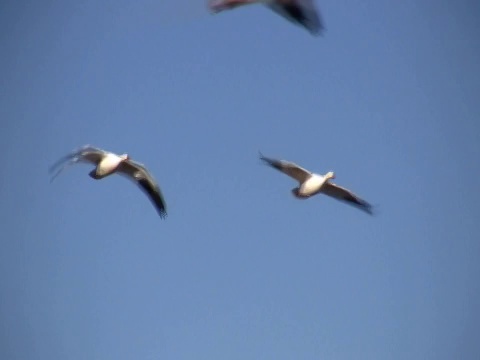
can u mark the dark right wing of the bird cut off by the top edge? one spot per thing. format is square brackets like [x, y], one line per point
[302, 12]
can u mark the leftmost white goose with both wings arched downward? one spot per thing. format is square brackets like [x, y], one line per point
[108, 163]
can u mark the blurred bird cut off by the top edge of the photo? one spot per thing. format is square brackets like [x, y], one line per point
[301, 12]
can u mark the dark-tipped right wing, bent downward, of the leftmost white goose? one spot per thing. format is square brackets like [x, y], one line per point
[139, 173]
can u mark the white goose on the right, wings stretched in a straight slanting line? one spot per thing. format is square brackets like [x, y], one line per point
[311, 184]
